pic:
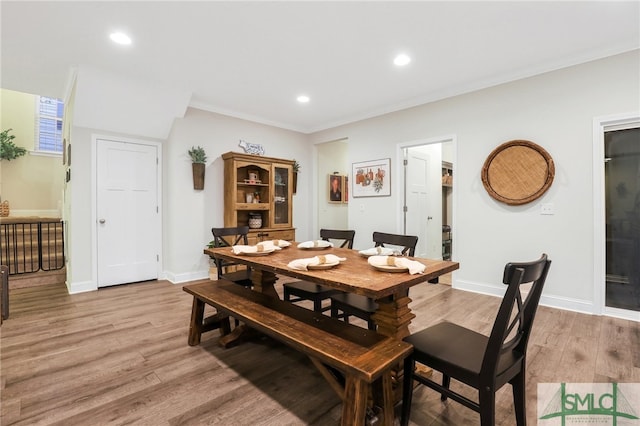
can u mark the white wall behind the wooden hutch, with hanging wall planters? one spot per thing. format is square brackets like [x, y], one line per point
[189, 215]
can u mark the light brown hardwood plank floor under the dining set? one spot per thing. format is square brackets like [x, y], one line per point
[120, 356]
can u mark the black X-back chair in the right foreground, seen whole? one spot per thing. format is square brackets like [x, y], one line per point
[481, 362]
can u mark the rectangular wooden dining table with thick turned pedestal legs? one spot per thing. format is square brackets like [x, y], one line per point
[390, 290]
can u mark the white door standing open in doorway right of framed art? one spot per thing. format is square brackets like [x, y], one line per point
[424, 200]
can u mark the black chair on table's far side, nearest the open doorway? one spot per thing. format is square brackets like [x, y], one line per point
[344, 305]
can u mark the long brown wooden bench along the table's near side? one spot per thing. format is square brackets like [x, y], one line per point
[365, 358]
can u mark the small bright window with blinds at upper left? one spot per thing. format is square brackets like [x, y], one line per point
[49, 113]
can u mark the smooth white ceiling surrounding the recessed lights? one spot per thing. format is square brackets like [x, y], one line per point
[251, 59]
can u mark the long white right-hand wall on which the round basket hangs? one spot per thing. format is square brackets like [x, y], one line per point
[554, 110]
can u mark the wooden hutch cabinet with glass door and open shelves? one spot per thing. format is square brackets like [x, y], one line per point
[258, 192]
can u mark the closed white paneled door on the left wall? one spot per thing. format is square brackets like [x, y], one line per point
[128, 228]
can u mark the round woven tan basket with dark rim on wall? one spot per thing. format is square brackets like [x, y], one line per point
[518, 172]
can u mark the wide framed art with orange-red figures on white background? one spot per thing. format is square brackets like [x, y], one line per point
[372, 178]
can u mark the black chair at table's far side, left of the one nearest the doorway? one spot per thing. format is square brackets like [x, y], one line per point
[304, 290]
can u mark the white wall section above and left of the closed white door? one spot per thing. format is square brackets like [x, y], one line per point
[107, 105]
